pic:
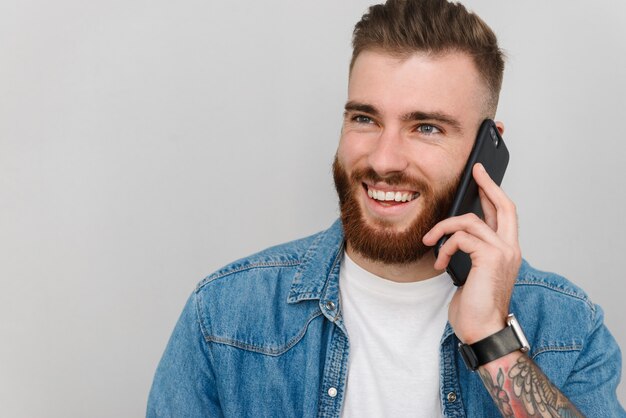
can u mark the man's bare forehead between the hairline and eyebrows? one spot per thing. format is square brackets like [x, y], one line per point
[447, 82]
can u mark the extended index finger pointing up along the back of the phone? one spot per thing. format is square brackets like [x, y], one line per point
[506, 214]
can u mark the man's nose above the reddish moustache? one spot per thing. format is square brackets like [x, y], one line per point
[388, 156]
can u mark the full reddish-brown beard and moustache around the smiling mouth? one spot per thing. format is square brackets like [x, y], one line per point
[379, 242]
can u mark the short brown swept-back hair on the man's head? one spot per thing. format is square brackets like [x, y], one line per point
[402, 27]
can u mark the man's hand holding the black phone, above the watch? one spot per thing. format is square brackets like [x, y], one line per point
[479, 308]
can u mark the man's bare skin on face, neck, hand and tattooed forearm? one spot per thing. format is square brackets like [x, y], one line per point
[419, 114]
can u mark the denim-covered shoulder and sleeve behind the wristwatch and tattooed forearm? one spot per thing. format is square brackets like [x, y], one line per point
[568, 338]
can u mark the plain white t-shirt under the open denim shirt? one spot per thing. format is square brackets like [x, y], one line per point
[395, 331]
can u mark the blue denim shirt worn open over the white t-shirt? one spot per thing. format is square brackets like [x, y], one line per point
[264, 337]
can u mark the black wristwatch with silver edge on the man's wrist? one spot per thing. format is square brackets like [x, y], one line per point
[498, 345]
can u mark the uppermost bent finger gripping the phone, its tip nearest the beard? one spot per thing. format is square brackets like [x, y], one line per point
[469, 223]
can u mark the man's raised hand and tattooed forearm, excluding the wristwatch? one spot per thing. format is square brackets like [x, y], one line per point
[479, 308]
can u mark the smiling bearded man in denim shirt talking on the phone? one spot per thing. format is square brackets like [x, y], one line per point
[361, 319]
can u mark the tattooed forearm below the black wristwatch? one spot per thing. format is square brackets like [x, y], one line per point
[520, 389]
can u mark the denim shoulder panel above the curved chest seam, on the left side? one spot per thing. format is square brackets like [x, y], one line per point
[246, 304]
